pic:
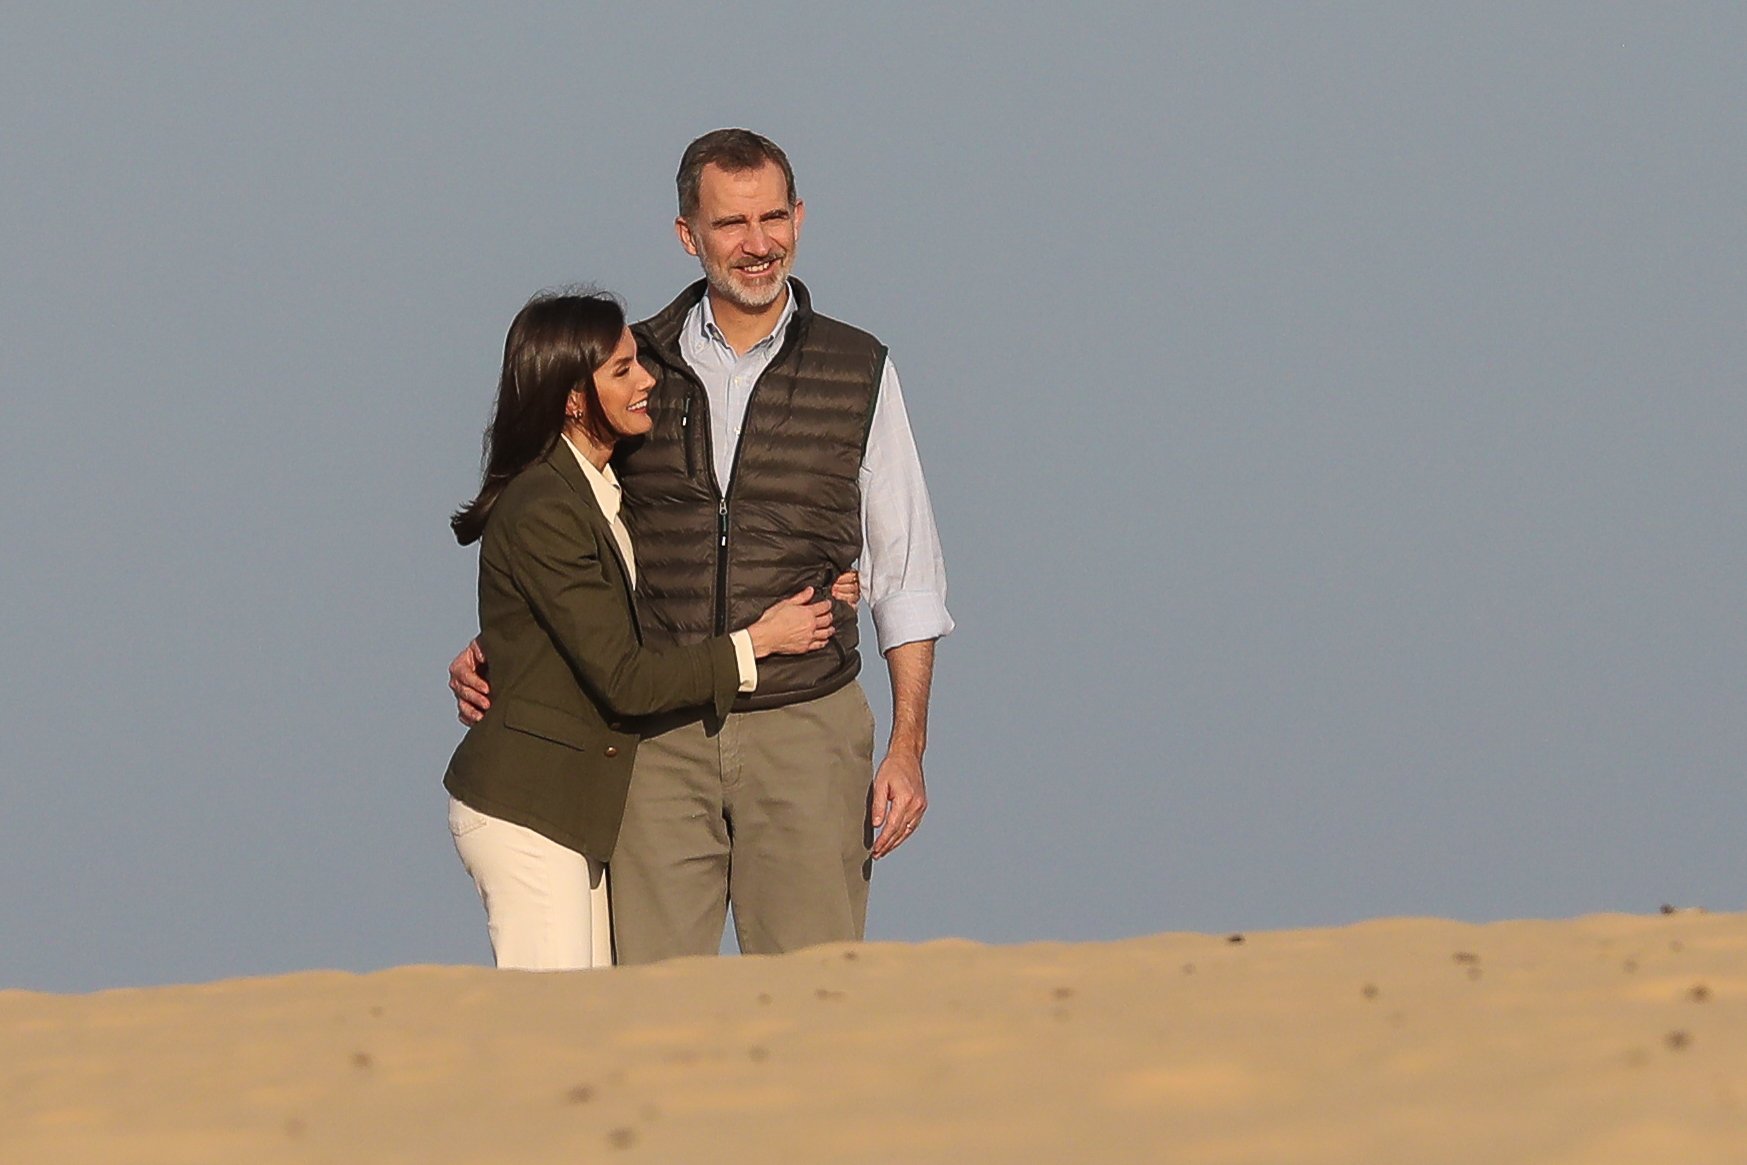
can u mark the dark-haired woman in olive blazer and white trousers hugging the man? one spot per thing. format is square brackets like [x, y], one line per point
[539, 787]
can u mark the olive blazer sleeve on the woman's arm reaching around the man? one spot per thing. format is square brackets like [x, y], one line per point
[555, 560]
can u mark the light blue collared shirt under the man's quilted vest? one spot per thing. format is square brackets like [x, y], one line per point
[904, 576]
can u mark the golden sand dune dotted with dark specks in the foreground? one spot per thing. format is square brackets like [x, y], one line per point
[1610, 1038]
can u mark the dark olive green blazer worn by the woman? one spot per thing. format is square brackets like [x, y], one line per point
[569, 668]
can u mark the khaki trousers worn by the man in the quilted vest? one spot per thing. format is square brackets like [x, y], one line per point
[771, 813]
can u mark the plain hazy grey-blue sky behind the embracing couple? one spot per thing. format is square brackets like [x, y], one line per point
[1334, 418]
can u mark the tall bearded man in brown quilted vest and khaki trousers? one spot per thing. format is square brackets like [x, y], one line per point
[780, 455]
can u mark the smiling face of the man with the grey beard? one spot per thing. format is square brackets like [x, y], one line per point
[743, 233]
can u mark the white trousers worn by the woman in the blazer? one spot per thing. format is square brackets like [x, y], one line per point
[546, 904]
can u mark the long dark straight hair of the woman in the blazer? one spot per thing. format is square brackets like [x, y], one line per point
[555, 347]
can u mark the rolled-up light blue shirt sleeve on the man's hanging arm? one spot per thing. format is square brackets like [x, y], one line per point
[902, 565]
